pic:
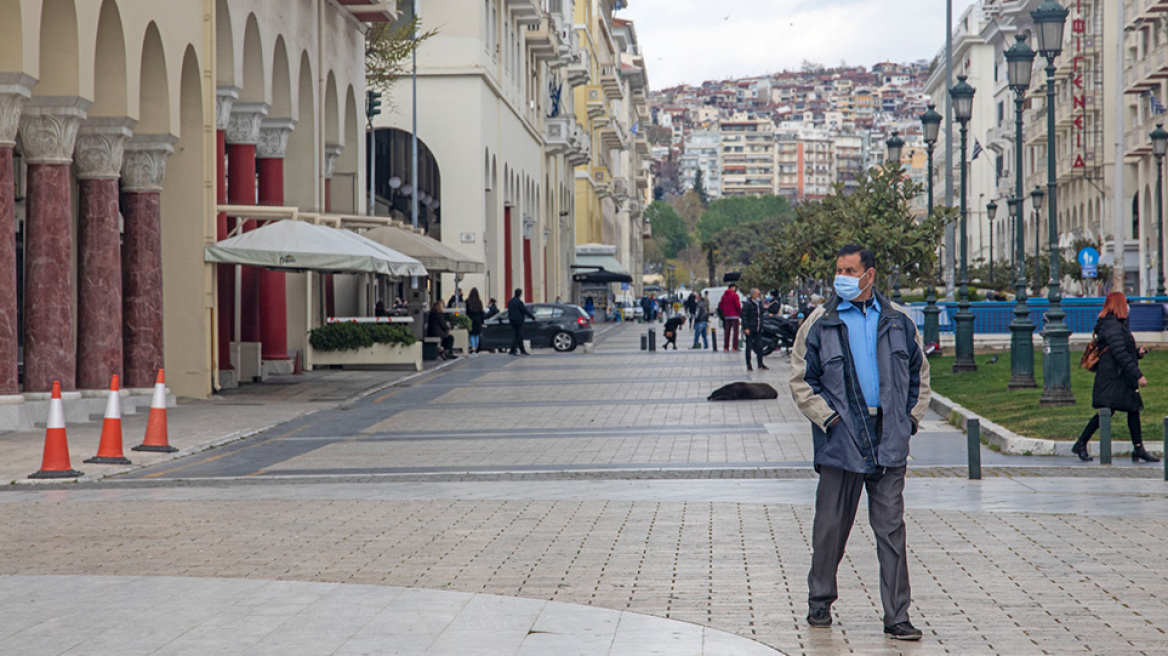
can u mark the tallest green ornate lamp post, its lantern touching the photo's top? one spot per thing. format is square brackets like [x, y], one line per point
[1049, 20]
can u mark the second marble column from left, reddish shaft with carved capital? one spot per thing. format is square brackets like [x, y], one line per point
[48, 134]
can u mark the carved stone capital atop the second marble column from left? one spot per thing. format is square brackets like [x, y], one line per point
[48, 129]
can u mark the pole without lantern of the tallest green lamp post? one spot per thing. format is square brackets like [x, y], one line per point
[1056, 372]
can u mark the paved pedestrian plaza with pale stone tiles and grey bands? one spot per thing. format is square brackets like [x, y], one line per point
[580, 504]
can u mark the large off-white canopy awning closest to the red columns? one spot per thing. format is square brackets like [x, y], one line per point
[297, 246]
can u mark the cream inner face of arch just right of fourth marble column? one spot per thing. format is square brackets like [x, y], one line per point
[185, 204]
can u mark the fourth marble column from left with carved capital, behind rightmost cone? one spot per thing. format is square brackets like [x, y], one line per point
[143, 171]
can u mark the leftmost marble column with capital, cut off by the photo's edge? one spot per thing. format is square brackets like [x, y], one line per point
[13, 95]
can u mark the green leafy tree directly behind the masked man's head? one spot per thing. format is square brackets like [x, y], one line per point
[878, 214]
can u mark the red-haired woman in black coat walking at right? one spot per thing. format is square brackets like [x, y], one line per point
[1118, 379]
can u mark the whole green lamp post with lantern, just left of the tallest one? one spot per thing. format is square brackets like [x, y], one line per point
[1020, 65]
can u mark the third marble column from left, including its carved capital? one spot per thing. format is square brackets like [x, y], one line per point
[101, 144]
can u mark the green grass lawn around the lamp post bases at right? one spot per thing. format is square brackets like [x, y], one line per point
[984, 392]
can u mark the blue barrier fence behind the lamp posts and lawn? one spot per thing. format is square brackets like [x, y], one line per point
[996, 317]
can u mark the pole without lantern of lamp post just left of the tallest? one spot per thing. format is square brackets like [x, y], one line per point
[1021, 329]
